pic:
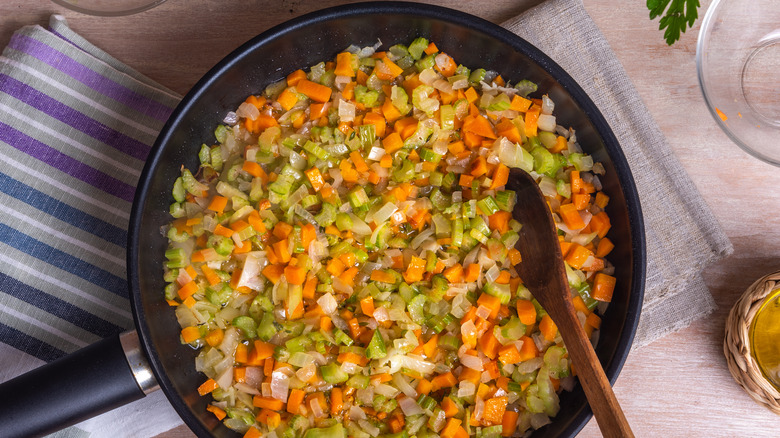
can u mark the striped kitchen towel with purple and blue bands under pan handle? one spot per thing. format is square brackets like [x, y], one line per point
[75, 128]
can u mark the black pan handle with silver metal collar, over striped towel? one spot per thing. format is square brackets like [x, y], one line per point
[96, 379]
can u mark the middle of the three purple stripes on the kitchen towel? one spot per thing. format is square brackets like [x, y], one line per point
[71, 117]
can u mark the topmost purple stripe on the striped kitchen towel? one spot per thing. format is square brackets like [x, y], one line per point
[89, 78]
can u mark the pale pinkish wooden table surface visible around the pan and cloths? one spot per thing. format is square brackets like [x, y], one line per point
[677, 386]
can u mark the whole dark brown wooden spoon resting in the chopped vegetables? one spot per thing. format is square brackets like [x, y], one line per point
[543, 272]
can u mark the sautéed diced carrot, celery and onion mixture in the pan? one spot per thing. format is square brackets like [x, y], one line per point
[343, 259]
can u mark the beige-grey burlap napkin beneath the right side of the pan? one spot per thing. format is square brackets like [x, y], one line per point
[682, 235]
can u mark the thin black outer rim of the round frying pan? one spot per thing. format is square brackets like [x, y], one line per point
[425, 11]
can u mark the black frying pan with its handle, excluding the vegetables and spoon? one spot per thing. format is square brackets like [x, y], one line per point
[106, 375]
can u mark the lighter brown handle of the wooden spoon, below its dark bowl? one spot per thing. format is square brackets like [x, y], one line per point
[601, 398]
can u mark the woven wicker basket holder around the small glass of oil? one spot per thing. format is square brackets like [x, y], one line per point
[736, 346]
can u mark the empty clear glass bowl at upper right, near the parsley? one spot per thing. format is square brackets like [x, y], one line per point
[738, 63]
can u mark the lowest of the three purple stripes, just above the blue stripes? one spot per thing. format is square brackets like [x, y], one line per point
[64, 163]
